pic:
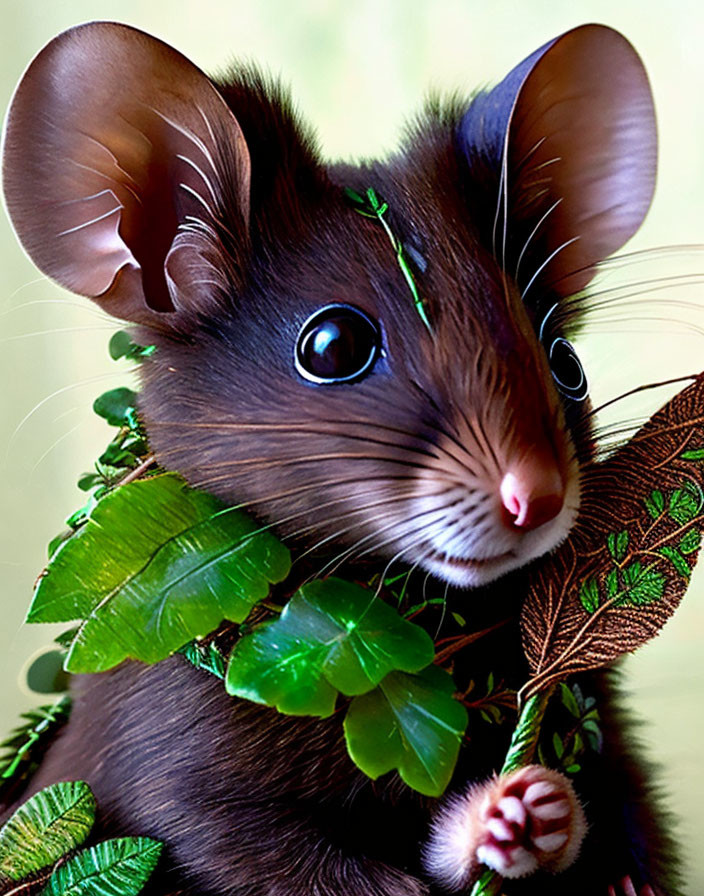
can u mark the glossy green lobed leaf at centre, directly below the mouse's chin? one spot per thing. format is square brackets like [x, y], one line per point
[332, 636]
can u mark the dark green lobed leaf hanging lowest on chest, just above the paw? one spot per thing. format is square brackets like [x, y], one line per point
[410, 723]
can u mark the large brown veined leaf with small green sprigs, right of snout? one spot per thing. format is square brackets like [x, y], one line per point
[650, 490]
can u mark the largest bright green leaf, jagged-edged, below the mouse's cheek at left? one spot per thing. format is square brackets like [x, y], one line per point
[156, 565]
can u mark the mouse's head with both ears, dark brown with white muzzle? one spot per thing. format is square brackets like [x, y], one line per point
[372, 358]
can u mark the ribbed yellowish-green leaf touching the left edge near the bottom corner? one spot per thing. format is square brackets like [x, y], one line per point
[46, 827]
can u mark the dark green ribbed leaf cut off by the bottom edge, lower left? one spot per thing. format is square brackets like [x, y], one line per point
[117, 867]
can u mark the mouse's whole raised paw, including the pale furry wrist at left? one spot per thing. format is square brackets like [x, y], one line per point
[515, 824]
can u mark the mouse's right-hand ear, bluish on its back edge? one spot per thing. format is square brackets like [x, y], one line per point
[570, 136]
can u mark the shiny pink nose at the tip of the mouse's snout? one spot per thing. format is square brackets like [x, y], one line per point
[531, 496]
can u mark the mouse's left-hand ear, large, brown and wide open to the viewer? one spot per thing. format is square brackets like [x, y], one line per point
[120, 157]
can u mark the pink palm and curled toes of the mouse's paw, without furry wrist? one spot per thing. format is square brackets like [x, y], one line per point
[532, 820]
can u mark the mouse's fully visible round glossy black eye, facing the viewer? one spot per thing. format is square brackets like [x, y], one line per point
[337, 344]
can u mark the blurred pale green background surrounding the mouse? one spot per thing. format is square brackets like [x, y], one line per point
[358, 69]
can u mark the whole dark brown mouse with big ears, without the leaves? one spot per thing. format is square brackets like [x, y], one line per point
[375, 360]
